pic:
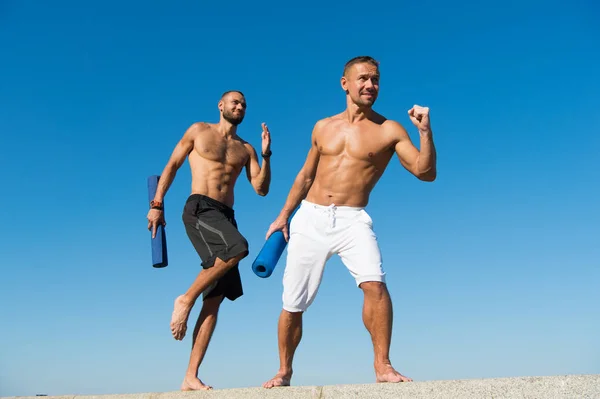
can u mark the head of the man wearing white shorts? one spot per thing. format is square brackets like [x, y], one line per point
[361, 82]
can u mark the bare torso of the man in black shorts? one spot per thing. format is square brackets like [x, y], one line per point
[216, 162]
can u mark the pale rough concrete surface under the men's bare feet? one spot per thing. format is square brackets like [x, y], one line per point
[555, 387]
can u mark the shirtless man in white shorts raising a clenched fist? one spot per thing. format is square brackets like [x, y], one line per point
[348, 155]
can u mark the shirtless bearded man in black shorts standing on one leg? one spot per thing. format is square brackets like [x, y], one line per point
[217, 156]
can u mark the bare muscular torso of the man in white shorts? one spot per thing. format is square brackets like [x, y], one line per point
[352, 159]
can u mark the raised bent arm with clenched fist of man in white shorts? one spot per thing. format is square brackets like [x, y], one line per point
[421, 163]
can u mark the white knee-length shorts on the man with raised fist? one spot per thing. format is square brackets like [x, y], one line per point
[316, 233]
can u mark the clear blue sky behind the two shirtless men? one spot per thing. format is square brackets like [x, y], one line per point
[494, 269]
